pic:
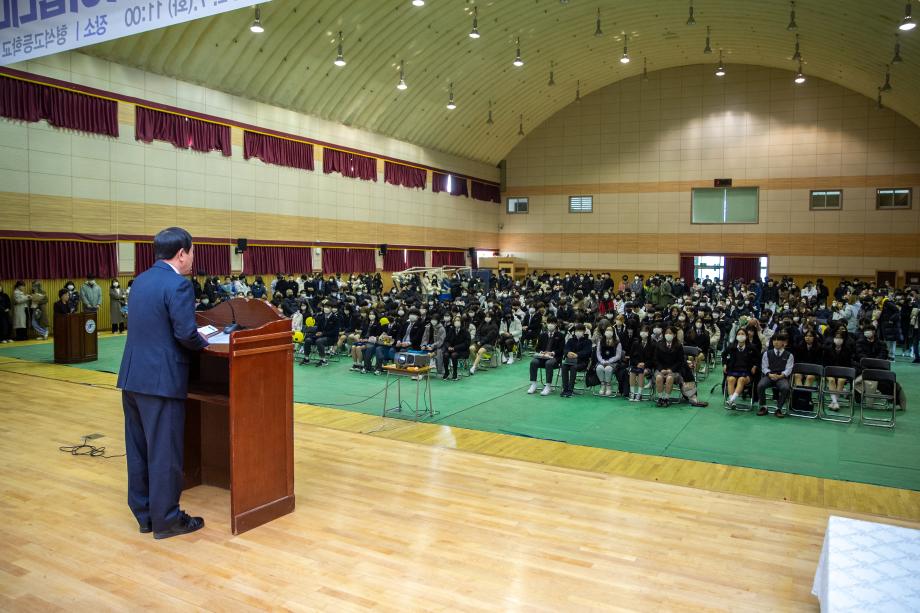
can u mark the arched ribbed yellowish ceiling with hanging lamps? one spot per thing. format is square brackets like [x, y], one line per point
[848, 42]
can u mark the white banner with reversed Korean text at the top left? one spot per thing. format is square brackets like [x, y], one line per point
[33, 28]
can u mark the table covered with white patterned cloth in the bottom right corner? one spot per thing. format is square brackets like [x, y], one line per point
[867, 567]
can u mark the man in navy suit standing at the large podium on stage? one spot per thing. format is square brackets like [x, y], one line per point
[154, 380]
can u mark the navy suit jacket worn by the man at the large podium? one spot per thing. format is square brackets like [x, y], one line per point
[162, 332]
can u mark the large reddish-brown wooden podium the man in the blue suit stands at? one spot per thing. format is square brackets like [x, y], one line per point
[239, 420]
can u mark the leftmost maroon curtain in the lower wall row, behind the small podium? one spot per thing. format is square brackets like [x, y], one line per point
[52, 259]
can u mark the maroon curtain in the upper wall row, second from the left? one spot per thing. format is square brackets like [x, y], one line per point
[183, 132]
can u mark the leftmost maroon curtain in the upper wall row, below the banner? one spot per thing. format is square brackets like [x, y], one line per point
[61, 108]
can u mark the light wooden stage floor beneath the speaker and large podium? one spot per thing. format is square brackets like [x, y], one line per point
[415, 524]
